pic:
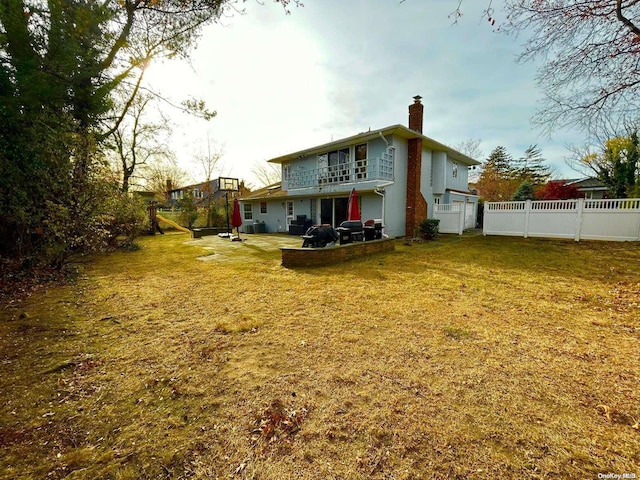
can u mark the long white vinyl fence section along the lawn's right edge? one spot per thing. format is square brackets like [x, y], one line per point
[578, 219]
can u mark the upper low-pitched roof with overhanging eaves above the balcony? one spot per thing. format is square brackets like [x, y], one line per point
[398, 130]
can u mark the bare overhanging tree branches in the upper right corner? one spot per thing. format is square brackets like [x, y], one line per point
[591, 51]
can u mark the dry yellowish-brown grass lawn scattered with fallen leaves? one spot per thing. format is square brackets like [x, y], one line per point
[467, 357]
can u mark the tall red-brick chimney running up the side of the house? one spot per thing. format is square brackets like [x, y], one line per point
[416, 206]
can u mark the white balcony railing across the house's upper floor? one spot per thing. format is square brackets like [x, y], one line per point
[379, 168]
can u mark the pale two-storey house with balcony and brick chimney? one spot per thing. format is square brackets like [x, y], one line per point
[398, 173]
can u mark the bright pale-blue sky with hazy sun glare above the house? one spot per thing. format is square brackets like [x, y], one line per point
[333, 68]
